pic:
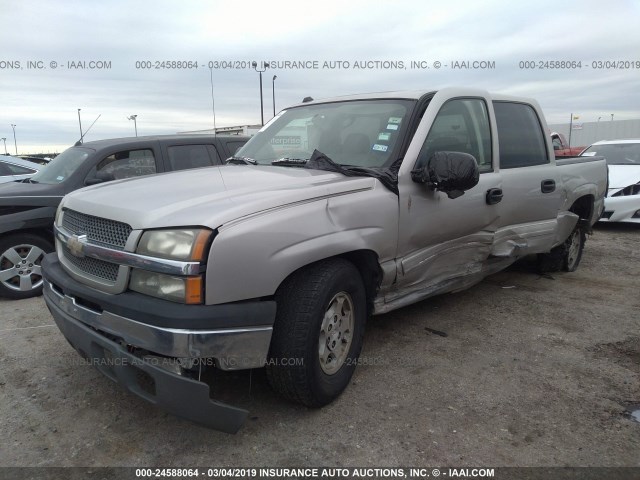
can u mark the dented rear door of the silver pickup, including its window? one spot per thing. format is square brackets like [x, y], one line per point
[530, 182]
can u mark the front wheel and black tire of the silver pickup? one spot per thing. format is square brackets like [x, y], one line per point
[318, 332]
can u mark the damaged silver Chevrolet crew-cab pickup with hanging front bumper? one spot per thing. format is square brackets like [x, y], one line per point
[336, 210]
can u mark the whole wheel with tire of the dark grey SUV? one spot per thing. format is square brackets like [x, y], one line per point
[20, 270]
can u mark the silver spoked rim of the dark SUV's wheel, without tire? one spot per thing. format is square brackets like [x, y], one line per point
[20, 268]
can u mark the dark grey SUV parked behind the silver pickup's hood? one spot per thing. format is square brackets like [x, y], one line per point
[27, 207]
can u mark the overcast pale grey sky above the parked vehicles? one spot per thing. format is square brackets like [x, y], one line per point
[42, 97]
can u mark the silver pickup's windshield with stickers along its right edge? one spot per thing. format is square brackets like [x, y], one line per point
[354, 133]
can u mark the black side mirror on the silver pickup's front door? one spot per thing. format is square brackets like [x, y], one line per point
[449, 172]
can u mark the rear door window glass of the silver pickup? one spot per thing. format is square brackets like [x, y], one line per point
[520, 136]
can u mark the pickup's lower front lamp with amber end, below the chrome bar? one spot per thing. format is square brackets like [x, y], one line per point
[176, 289]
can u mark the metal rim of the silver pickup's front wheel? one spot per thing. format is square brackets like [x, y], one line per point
[336, 333]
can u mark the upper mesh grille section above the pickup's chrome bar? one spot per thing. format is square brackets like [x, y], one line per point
[100, 231]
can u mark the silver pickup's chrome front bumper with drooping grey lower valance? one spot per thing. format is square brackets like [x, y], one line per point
[107, 341]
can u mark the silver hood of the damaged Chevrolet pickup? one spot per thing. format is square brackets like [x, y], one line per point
[210, 196]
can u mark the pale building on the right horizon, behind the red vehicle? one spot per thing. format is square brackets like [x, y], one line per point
[586, 133]
